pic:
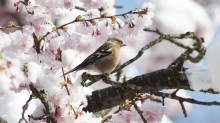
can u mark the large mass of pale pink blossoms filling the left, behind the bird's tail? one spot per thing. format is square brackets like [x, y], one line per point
[37, 52]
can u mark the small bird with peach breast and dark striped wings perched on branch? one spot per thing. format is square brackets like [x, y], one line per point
[104, 59]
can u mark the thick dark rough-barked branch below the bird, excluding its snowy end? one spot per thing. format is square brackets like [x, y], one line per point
[170, 78]
